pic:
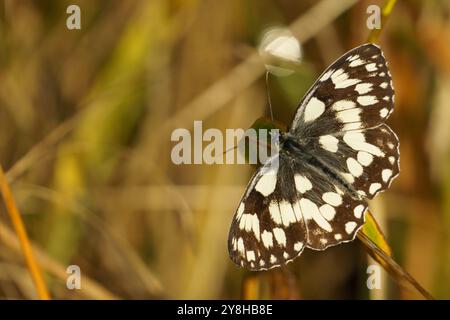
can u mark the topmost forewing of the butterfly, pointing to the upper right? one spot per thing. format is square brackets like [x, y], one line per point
[354, 93]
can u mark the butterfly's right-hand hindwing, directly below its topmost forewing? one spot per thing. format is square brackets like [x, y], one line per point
[368, 159]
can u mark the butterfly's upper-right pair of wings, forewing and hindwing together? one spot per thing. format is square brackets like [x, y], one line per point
[341, 119]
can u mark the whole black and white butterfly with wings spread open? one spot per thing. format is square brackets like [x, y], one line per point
[337, 154]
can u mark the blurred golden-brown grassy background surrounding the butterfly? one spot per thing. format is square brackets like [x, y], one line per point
[85, 123]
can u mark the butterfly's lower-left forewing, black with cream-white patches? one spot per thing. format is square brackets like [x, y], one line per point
[267, 229]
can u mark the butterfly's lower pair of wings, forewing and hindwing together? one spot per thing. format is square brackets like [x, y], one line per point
[286, 208]
